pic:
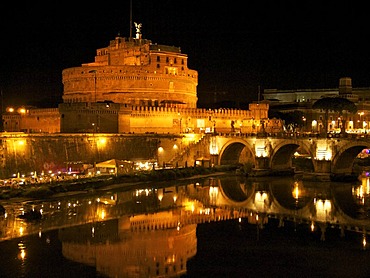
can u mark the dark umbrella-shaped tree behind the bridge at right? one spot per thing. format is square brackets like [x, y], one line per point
[336, 104]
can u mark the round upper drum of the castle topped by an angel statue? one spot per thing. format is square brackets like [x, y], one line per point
[136, 72]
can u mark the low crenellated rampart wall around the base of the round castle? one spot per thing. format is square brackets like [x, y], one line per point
[106, 117]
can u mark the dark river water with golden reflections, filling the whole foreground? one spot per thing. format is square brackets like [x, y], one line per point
[153, 234]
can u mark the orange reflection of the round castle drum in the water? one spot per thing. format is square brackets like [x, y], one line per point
[118, 251]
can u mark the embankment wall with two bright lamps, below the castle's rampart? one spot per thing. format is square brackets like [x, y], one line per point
[21, 153]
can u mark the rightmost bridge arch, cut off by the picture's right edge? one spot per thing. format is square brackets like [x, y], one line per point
[342, 162]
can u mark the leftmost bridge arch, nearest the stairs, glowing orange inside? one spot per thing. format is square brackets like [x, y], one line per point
[236, 151]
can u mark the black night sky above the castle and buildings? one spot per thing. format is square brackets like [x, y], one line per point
[236, 46]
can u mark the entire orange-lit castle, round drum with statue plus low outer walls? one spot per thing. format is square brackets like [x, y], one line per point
[136, 86]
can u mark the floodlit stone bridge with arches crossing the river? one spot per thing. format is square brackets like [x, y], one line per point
[274, 153]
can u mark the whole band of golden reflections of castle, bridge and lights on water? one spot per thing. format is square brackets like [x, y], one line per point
[152, 231]
